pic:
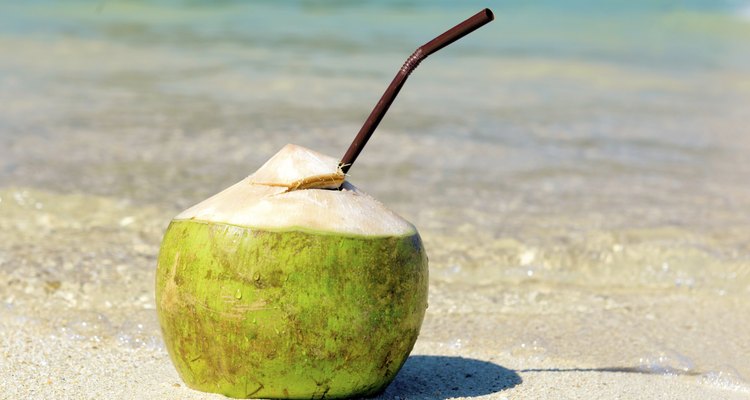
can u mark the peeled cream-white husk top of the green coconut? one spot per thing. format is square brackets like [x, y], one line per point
[296, 189]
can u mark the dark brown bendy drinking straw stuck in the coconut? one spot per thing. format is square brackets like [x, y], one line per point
[450, 36]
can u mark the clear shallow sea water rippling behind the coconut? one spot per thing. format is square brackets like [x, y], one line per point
[579, 174]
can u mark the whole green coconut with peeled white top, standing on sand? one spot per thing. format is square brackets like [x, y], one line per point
[282, 286]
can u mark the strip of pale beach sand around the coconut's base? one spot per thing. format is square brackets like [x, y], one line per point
[53, 366]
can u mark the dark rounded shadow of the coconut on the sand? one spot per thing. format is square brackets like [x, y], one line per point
[442, 377]
